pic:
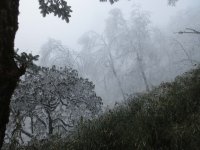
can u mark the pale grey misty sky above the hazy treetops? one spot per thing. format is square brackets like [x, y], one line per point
[34, 30]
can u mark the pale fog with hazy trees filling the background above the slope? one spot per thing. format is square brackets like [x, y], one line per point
[124, 48]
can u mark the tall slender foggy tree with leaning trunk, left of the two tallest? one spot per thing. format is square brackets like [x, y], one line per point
[114, 29]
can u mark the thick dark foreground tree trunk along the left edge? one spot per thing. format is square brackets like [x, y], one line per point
[9, 72]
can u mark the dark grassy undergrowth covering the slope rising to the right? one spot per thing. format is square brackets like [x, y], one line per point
[167, 118]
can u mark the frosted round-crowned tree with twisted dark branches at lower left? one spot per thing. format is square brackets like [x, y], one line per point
[50, 101]
